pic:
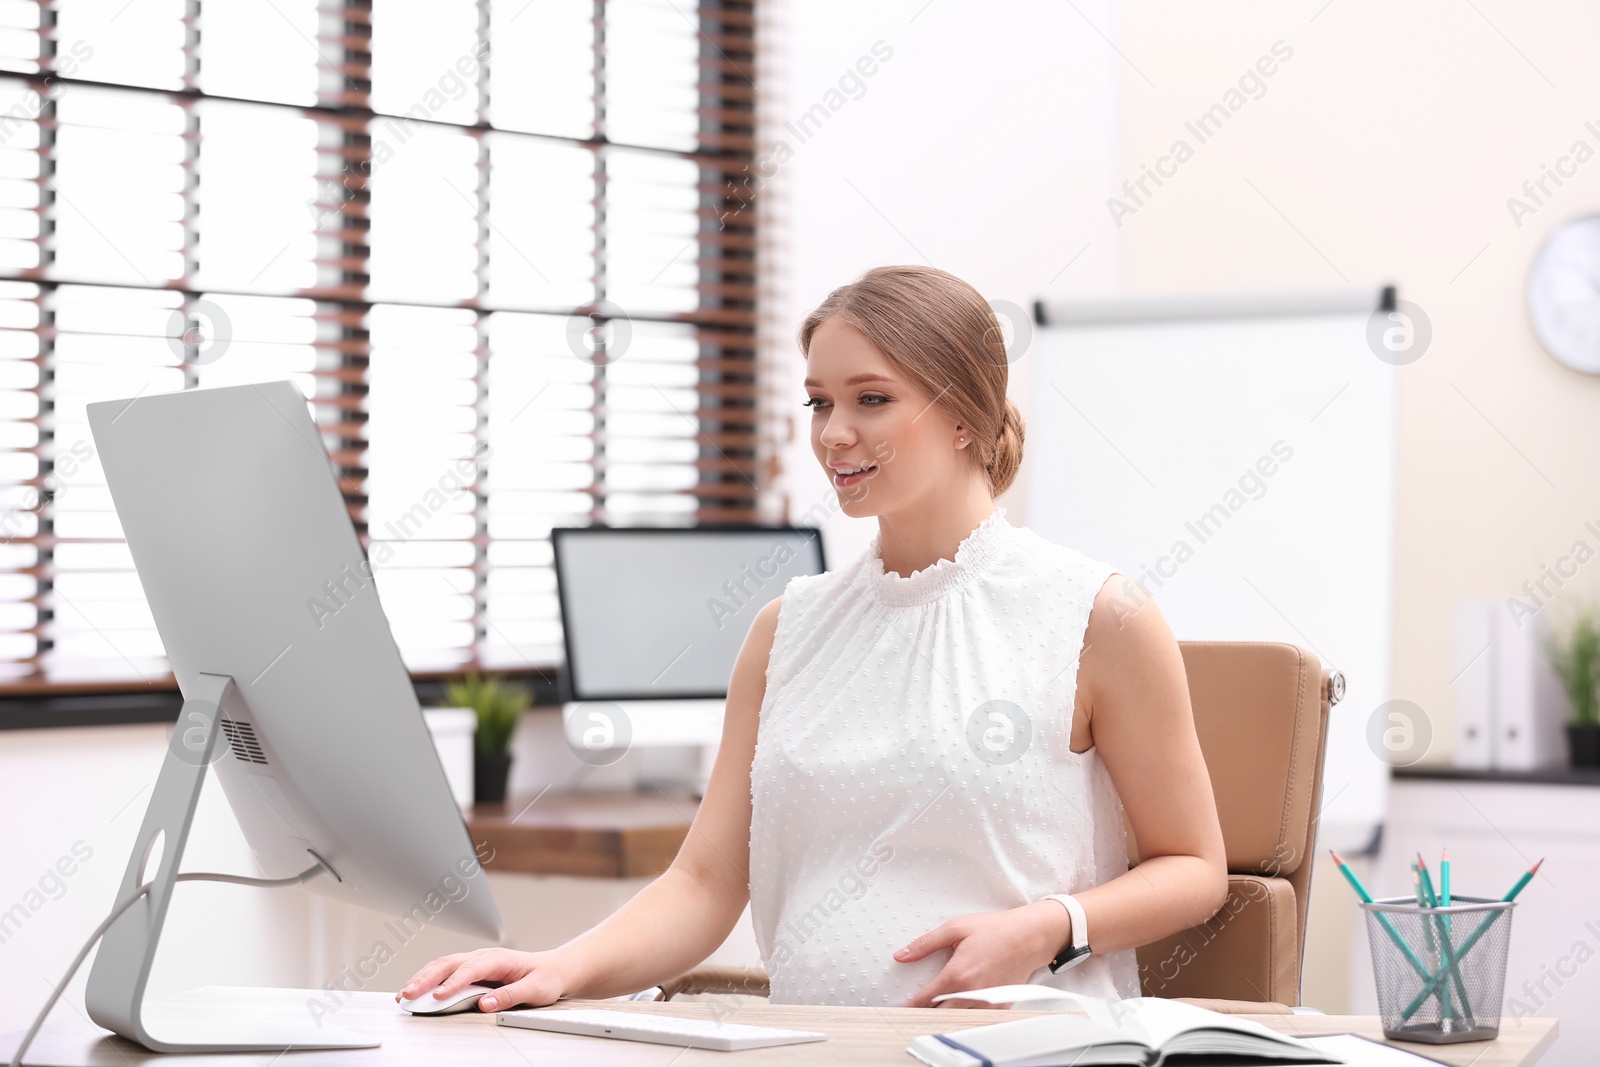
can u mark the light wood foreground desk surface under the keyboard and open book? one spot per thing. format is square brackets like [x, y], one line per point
[857, 1036]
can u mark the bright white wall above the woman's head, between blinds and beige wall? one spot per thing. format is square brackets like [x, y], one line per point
[980, 146]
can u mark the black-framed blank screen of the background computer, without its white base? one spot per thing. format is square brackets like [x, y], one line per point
[660, 613]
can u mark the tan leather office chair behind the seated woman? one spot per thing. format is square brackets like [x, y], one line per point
[1262, 714]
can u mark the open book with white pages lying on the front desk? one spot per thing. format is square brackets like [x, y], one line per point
[1086, 1031]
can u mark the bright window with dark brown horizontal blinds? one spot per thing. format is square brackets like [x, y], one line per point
[508, 249]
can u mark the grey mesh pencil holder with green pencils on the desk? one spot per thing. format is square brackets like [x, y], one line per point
[1441, 972]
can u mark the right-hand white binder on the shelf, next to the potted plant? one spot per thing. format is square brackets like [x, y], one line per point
[1530, 705]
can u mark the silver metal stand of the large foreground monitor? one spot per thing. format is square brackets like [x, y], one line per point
[122, 967]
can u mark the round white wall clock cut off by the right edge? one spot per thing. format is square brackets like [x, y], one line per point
[1564, 294]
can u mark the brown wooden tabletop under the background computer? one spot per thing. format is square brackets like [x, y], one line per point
[598, 834]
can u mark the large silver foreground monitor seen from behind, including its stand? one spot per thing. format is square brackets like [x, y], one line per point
[295, 692]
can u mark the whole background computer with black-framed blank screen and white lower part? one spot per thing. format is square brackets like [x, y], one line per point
[654, 620]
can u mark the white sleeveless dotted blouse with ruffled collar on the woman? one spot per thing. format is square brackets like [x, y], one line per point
[914, 764]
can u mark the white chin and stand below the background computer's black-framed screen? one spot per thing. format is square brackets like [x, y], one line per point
[673, 743]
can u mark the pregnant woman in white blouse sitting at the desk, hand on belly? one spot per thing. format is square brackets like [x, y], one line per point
[929, 745]
